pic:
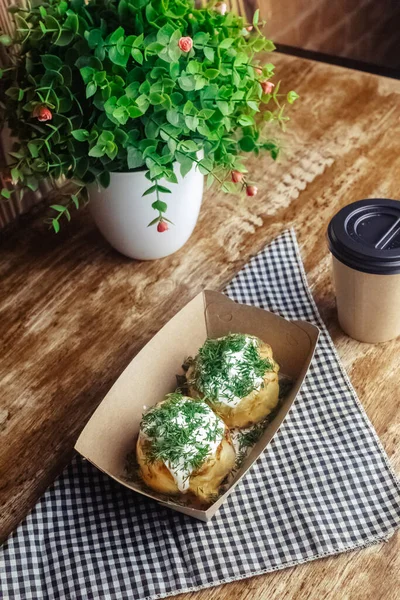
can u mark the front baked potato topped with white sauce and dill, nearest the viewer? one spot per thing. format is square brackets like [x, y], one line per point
[184, 448]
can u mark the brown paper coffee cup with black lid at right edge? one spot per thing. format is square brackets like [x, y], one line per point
[364, 239]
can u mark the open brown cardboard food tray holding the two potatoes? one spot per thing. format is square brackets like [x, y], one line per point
[110, 435]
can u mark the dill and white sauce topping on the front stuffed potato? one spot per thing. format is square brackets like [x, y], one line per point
[181, 431]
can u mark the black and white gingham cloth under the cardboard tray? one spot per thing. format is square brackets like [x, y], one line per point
[323, 486]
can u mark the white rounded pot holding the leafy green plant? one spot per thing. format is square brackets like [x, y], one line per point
[122, 213]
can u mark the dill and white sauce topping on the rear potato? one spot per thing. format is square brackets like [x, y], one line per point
[230, 368]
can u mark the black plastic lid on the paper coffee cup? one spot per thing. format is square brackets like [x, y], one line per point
[365, 236]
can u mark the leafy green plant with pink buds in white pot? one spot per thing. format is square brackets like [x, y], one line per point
[135, 101]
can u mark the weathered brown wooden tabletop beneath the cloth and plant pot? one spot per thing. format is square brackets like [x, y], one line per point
[74, 312]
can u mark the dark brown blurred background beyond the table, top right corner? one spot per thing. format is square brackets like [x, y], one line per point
[363, 34]
